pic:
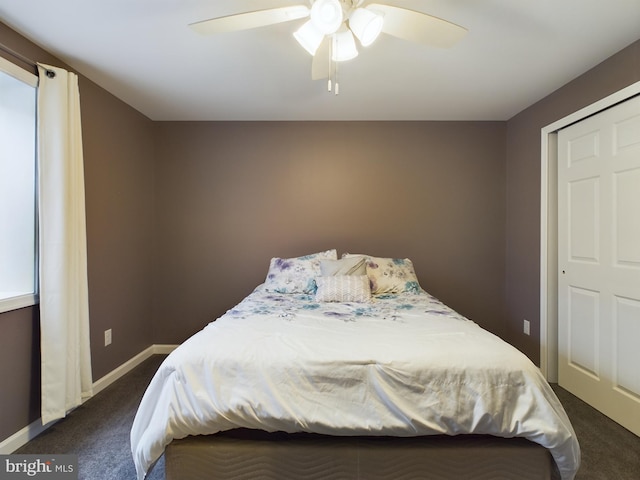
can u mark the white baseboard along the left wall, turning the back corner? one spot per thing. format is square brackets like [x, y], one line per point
[21, 437]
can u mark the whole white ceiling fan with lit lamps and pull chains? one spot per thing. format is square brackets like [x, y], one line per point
[333, 26]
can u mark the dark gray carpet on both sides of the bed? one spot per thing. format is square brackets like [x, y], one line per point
[98, 432]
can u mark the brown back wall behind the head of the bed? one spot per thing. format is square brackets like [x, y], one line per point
[232, 195]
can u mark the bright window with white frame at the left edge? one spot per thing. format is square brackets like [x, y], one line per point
[18, 240]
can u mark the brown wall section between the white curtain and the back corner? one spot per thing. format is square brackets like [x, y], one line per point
[119, 163]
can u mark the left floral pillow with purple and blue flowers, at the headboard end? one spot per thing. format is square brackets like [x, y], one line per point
[296, 275]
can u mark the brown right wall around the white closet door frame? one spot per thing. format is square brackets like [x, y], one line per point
[523, 186]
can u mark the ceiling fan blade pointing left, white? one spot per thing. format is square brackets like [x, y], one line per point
[248, 20]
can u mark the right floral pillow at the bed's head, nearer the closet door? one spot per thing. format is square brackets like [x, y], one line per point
[390, 275]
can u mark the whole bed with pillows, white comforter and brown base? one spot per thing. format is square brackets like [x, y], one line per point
[341, 364]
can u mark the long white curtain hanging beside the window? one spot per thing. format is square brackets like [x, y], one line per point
[64, 299]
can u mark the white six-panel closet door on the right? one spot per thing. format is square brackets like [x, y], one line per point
[599, 261]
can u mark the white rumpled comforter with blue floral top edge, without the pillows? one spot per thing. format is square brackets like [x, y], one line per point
[404, 365]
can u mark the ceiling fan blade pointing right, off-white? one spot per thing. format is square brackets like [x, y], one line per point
[419, 27]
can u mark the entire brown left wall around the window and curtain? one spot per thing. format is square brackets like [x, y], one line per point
[118, 154]
